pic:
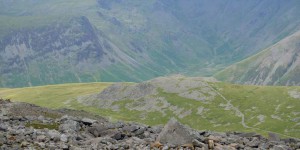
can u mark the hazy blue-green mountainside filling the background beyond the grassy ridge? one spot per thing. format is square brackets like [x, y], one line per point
[48, 42]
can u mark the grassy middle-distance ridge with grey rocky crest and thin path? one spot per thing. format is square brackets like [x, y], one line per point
[200, 103]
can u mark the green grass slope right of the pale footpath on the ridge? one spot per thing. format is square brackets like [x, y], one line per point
[268, 101]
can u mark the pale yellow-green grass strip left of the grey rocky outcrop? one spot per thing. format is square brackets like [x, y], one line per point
[52, 96]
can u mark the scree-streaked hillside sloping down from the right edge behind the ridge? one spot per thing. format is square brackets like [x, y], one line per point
[277, 65]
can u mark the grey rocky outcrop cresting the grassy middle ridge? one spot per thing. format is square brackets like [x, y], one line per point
[147, 96]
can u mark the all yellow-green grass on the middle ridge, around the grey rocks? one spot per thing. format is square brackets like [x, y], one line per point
[252, 101]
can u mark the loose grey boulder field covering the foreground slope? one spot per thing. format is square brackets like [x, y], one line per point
[26, 126]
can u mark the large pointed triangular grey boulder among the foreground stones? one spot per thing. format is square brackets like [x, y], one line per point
[174, 133]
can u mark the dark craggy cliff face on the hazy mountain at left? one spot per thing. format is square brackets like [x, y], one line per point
[45, 55]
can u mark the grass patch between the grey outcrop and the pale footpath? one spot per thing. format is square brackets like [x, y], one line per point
[210, 119]
